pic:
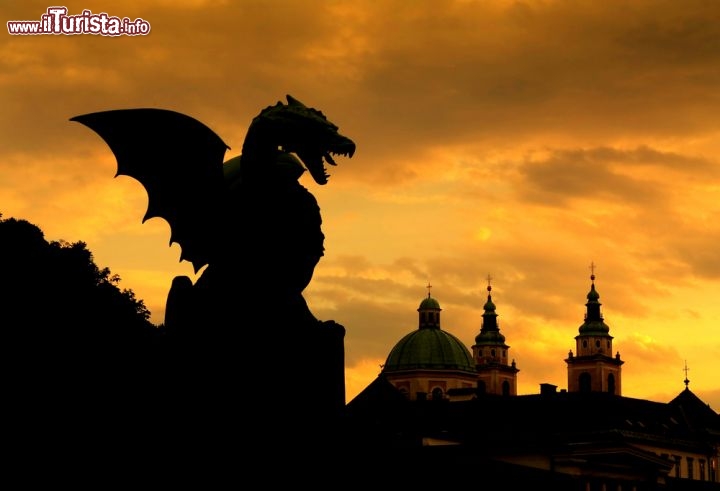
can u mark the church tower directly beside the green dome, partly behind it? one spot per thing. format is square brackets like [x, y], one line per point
[490, 353]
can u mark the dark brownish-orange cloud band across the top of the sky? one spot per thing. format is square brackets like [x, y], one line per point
[427, 73]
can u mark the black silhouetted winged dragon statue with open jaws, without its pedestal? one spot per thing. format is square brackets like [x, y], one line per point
[249, 220]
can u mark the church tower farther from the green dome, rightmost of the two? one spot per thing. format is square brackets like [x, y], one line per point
[593, 368]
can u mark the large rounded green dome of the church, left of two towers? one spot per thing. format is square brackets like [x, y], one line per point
[433, 349]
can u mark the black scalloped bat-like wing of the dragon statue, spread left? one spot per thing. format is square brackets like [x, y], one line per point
[179, 161]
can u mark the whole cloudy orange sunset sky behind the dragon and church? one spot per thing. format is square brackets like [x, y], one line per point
[523, 140]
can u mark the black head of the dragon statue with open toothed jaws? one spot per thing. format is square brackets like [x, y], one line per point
[303, 131]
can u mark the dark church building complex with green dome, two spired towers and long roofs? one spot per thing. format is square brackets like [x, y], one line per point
[439, 414]
